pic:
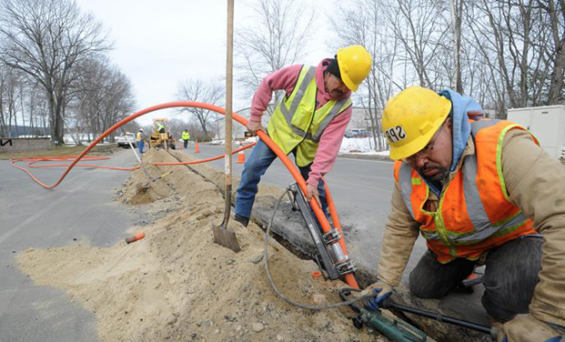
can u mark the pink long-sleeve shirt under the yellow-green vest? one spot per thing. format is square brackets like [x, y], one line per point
[330, 141]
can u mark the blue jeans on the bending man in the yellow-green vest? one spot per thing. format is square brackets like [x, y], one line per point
[258, 162]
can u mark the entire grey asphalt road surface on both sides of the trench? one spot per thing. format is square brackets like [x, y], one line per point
[82, 208]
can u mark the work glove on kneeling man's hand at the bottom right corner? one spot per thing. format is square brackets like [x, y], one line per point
[526, 328]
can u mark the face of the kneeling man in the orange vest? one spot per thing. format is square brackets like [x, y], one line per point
[434, 161]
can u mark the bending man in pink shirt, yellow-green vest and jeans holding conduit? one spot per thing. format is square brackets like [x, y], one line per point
[309, 122]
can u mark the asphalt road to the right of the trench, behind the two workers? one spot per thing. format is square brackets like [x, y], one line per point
[361, 191]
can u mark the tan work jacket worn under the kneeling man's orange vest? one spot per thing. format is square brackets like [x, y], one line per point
[535, 183]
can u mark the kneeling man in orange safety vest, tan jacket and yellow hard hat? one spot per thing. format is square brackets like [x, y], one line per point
[480, 193]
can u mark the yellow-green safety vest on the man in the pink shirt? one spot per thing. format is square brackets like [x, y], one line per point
[296, 123]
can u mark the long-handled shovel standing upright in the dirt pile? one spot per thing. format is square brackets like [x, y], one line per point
[222, 235]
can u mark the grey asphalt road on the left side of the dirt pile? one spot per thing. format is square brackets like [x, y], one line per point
[30, 216]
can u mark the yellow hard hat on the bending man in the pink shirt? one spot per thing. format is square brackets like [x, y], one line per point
[354, 65]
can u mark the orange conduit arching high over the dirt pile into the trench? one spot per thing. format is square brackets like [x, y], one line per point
[349, 278]
